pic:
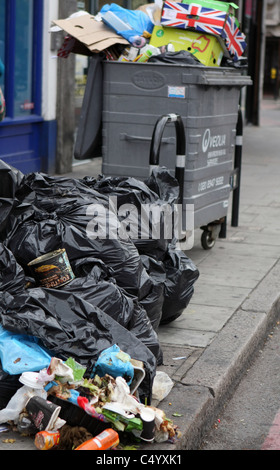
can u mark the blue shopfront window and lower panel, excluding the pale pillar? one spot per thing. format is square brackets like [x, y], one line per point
[21, 29]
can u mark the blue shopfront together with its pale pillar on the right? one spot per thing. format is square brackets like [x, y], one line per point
[28, 133]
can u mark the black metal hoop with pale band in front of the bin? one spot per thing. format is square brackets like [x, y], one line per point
[180, 148]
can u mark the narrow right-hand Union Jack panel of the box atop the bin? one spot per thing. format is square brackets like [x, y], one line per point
[235, 40]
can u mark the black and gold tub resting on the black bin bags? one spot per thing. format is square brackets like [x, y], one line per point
[53, 269]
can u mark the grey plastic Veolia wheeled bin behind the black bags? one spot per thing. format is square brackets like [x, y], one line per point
[206, 98]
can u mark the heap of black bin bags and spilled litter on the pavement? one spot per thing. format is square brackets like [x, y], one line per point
[79, 313]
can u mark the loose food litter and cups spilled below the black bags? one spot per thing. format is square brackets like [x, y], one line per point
[101, 409]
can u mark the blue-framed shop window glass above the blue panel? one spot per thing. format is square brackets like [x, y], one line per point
[21, 23]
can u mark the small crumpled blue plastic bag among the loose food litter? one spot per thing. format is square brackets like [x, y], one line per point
[114, 362]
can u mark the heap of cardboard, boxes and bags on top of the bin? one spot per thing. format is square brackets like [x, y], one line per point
[205, 32]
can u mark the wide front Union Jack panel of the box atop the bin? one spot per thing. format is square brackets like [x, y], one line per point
[184, 15]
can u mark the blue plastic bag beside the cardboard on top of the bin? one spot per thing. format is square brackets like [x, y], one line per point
[136, 19]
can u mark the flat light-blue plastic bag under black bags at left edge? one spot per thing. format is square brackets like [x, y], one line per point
[21, 353]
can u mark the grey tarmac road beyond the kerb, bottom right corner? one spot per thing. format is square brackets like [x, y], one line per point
[251, 419]
